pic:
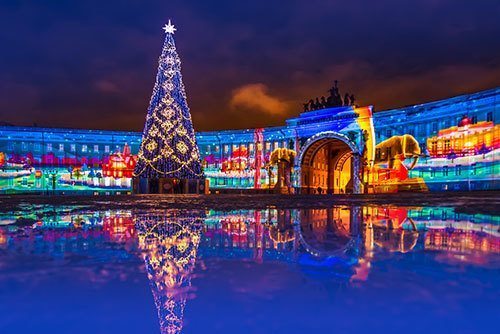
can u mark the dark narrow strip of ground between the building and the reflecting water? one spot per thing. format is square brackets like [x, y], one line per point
[471, 202]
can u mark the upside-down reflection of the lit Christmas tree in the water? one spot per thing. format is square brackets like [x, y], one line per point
[169, 243]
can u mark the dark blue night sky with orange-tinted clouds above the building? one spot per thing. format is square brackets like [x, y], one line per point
[92, 64]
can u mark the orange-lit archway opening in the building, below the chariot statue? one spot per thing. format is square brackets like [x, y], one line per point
[335, 149]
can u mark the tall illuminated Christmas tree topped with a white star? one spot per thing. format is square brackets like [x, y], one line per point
[168, 150]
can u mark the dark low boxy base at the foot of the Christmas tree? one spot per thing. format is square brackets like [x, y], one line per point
[170, 186]
